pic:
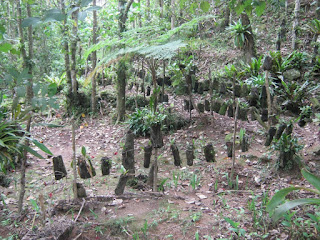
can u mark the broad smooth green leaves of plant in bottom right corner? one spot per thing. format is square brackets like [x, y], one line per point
[277, 207]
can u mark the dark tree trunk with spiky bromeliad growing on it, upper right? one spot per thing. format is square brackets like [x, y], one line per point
[249, 47]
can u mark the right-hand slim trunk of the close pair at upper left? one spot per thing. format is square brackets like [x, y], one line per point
[74, 42]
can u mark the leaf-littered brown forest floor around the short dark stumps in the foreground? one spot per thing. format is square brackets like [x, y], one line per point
[184, 209]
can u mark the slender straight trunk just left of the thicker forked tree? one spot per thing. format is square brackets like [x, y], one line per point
[94, 60]
